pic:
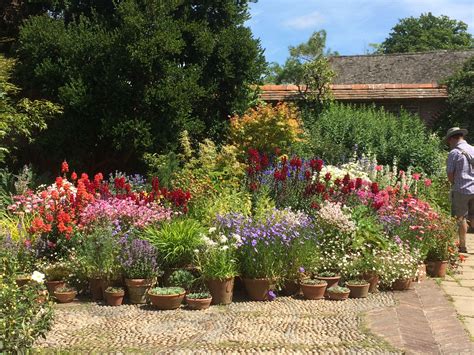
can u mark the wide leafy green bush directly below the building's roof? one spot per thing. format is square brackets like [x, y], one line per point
[341, 129]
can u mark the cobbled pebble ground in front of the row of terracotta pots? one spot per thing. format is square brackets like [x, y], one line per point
[286, 325]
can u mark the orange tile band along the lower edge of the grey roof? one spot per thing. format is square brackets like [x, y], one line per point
[360, 91]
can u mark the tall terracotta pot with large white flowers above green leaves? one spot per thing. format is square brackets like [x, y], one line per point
[217, 262]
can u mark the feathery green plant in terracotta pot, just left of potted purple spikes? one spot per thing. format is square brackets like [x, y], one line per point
[98, 257]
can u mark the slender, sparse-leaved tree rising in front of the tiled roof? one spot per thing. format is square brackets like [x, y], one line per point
[309, 69]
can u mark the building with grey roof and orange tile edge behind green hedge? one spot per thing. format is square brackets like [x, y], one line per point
[413, 81]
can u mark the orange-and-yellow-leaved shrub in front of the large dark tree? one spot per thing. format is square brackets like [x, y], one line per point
[266, 128]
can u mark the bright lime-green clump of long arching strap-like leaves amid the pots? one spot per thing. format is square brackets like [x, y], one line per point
[175, 240]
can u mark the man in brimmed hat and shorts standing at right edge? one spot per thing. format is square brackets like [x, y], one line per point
[460, 170]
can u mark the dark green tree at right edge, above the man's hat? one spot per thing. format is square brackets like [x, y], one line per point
[460, 110]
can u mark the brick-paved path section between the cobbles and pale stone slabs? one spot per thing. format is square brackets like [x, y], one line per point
[424, 321]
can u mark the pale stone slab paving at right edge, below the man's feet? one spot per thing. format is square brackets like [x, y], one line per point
[460, 288]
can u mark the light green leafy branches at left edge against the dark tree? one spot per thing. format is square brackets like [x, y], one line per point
[21, 119]
